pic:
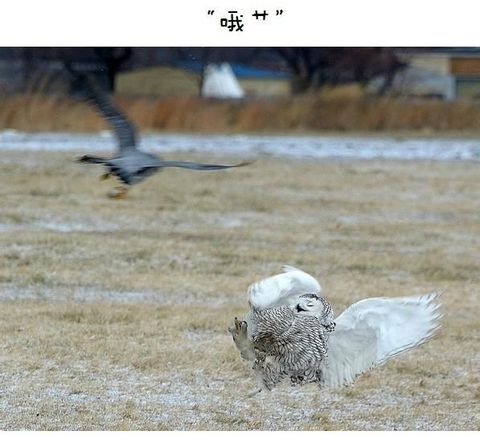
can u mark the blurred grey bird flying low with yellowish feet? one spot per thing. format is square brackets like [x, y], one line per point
[129, 164]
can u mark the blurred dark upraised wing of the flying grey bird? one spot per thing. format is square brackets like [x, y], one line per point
[122, 127]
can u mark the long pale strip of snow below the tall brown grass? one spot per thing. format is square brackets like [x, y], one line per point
[251, 145]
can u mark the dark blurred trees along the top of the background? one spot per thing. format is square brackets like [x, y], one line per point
[308, 67]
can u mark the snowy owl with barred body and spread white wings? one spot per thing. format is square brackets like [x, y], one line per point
[290, 331]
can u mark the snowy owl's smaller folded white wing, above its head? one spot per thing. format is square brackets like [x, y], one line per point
[282, 289]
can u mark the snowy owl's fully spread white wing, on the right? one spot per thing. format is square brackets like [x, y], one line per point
[371, 331]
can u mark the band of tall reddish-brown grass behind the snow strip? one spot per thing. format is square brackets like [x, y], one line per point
[325, 111]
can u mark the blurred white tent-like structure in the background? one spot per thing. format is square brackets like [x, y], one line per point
[220, 82]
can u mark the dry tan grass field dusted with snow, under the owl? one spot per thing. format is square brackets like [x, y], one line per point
[114, 314]
